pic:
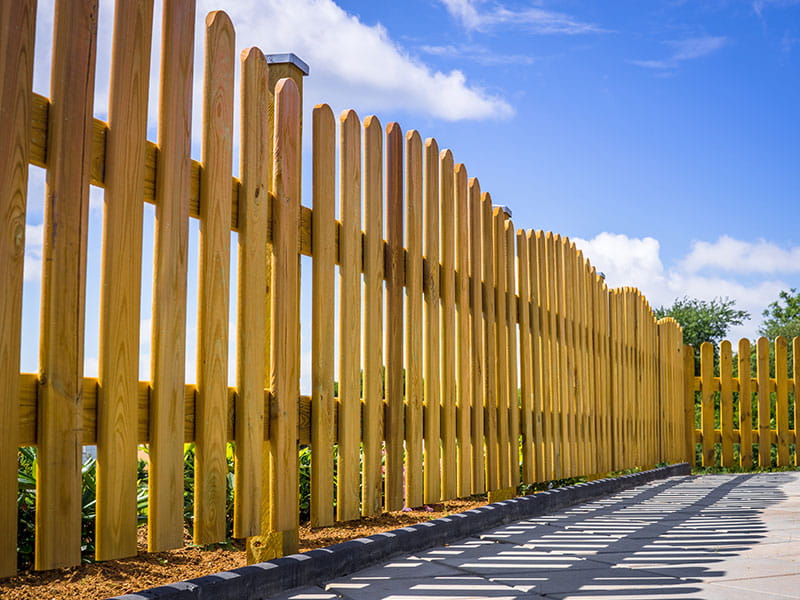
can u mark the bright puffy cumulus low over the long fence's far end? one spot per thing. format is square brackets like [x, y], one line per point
[631, 261]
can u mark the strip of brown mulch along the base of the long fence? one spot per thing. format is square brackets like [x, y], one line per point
[94, 581]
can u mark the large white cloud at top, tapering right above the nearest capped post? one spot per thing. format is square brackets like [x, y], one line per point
[354, 64]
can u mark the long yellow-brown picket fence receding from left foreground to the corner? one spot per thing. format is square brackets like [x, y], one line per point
[472, 356]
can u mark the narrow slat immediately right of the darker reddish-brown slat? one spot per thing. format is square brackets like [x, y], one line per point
[413, 349]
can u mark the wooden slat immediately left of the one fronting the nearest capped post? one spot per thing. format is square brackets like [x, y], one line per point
[253, 292]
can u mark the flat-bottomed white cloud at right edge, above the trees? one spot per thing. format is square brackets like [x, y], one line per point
[730, 254]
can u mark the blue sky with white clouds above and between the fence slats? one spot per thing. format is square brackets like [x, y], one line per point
[661, 135]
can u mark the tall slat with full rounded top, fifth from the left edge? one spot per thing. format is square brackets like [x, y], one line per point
[214, 280]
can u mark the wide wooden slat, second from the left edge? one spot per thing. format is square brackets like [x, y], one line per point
[58, 484]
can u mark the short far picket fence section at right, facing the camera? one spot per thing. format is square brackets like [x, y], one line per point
[745, 404]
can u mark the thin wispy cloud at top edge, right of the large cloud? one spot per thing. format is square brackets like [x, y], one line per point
[534, 19]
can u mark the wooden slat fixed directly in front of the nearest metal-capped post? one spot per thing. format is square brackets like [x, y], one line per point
[285, 313]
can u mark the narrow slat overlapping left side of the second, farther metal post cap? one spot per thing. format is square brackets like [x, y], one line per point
[501, 346]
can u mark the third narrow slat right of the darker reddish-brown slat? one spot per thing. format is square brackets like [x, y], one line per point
[448, 323]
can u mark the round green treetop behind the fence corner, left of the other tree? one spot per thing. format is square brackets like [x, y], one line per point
[704, 320]
